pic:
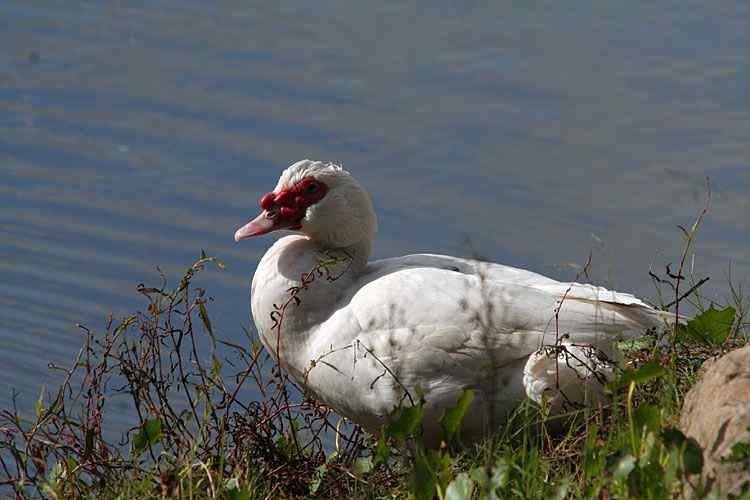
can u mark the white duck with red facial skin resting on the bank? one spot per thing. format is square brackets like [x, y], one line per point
[366, 337]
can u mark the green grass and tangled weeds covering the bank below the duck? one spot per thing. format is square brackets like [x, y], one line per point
[201, 435]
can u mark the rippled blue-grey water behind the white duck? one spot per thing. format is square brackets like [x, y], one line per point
[138, 133]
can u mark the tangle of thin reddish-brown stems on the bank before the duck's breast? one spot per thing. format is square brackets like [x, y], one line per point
[206, 406]
